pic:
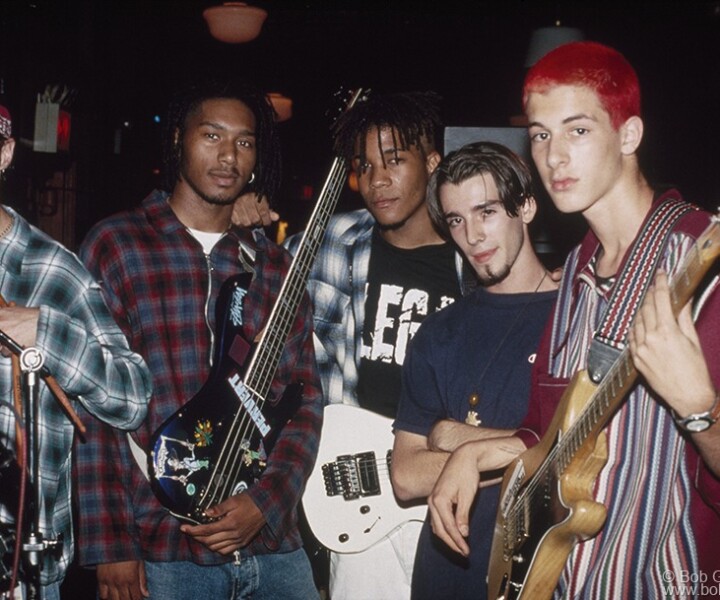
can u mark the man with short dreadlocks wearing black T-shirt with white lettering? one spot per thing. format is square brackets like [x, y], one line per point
[380, 271]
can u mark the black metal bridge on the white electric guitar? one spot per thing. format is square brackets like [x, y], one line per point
[352, 476]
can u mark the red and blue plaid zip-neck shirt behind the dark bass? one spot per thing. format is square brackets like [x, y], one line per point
[155, 277]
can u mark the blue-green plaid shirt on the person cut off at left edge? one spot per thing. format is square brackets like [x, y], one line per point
[85, 352]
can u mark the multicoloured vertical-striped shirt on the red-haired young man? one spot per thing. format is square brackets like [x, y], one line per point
[649, 530]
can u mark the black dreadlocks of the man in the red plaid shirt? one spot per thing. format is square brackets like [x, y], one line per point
[189, 99]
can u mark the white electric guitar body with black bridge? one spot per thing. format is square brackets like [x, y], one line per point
[348, 501]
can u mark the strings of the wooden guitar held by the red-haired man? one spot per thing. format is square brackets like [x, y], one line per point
[576, 434]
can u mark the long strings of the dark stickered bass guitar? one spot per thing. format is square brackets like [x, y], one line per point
[242, 430]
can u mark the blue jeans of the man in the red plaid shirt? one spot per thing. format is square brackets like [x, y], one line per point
[263, 577]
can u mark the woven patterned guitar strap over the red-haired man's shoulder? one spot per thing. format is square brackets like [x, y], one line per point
[632, 284]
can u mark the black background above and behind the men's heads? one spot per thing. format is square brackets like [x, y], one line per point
[125, 57]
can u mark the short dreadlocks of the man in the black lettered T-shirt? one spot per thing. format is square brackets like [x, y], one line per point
[414, 118]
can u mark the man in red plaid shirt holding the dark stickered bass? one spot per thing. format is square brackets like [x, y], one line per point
[162, 265]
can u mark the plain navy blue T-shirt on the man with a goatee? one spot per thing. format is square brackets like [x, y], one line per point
[482, 345]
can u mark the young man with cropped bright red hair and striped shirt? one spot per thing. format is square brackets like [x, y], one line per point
[660, 483]
